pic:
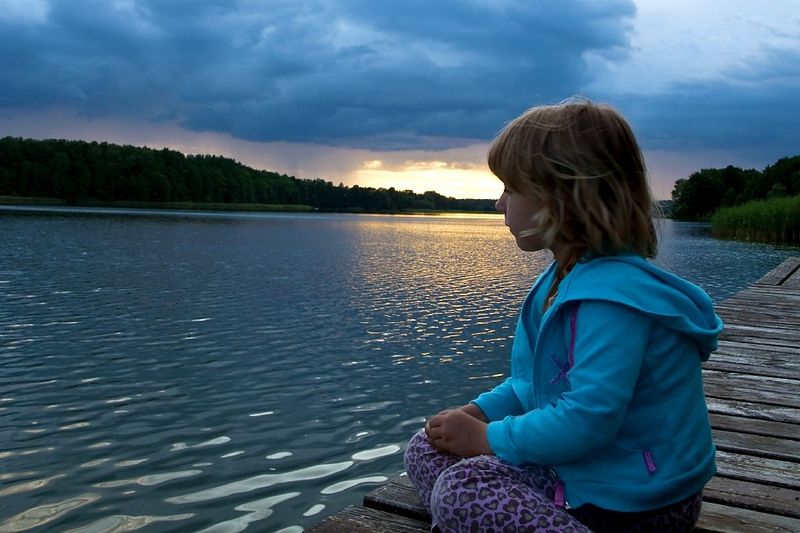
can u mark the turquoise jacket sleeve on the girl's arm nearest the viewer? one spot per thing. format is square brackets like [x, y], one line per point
[609, 348]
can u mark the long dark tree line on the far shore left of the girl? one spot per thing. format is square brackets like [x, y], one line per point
[82, 172]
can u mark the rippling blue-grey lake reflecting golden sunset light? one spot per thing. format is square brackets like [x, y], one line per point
[188, 371]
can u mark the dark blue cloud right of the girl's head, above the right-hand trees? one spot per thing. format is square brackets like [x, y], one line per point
[754, 108]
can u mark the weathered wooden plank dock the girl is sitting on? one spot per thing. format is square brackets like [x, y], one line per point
[752, 386]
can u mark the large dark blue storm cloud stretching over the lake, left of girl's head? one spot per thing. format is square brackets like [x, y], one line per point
[358, 73]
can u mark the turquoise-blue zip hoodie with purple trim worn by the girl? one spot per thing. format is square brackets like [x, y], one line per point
[606, 387]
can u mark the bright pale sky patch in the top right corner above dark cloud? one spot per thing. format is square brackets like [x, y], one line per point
[683, 41]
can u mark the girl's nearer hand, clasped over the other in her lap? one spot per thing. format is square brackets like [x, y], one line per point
[457, 432]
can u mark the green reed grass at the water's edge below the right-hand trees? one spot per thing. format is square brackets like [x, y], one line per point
[773, 220]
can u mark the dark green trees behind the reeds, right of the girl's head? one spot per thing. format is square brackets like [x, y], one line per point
[707, 190]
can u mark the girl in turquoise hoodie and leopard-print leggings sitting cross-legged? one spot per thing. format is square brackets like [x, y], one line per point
[602, 424]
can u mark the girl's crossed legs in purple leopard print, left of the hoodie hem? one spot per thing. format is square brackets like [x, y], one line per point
[485, 493]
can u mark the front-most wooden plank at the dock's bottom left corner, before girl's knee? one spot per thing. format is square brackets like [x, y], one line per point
[357, 519]
